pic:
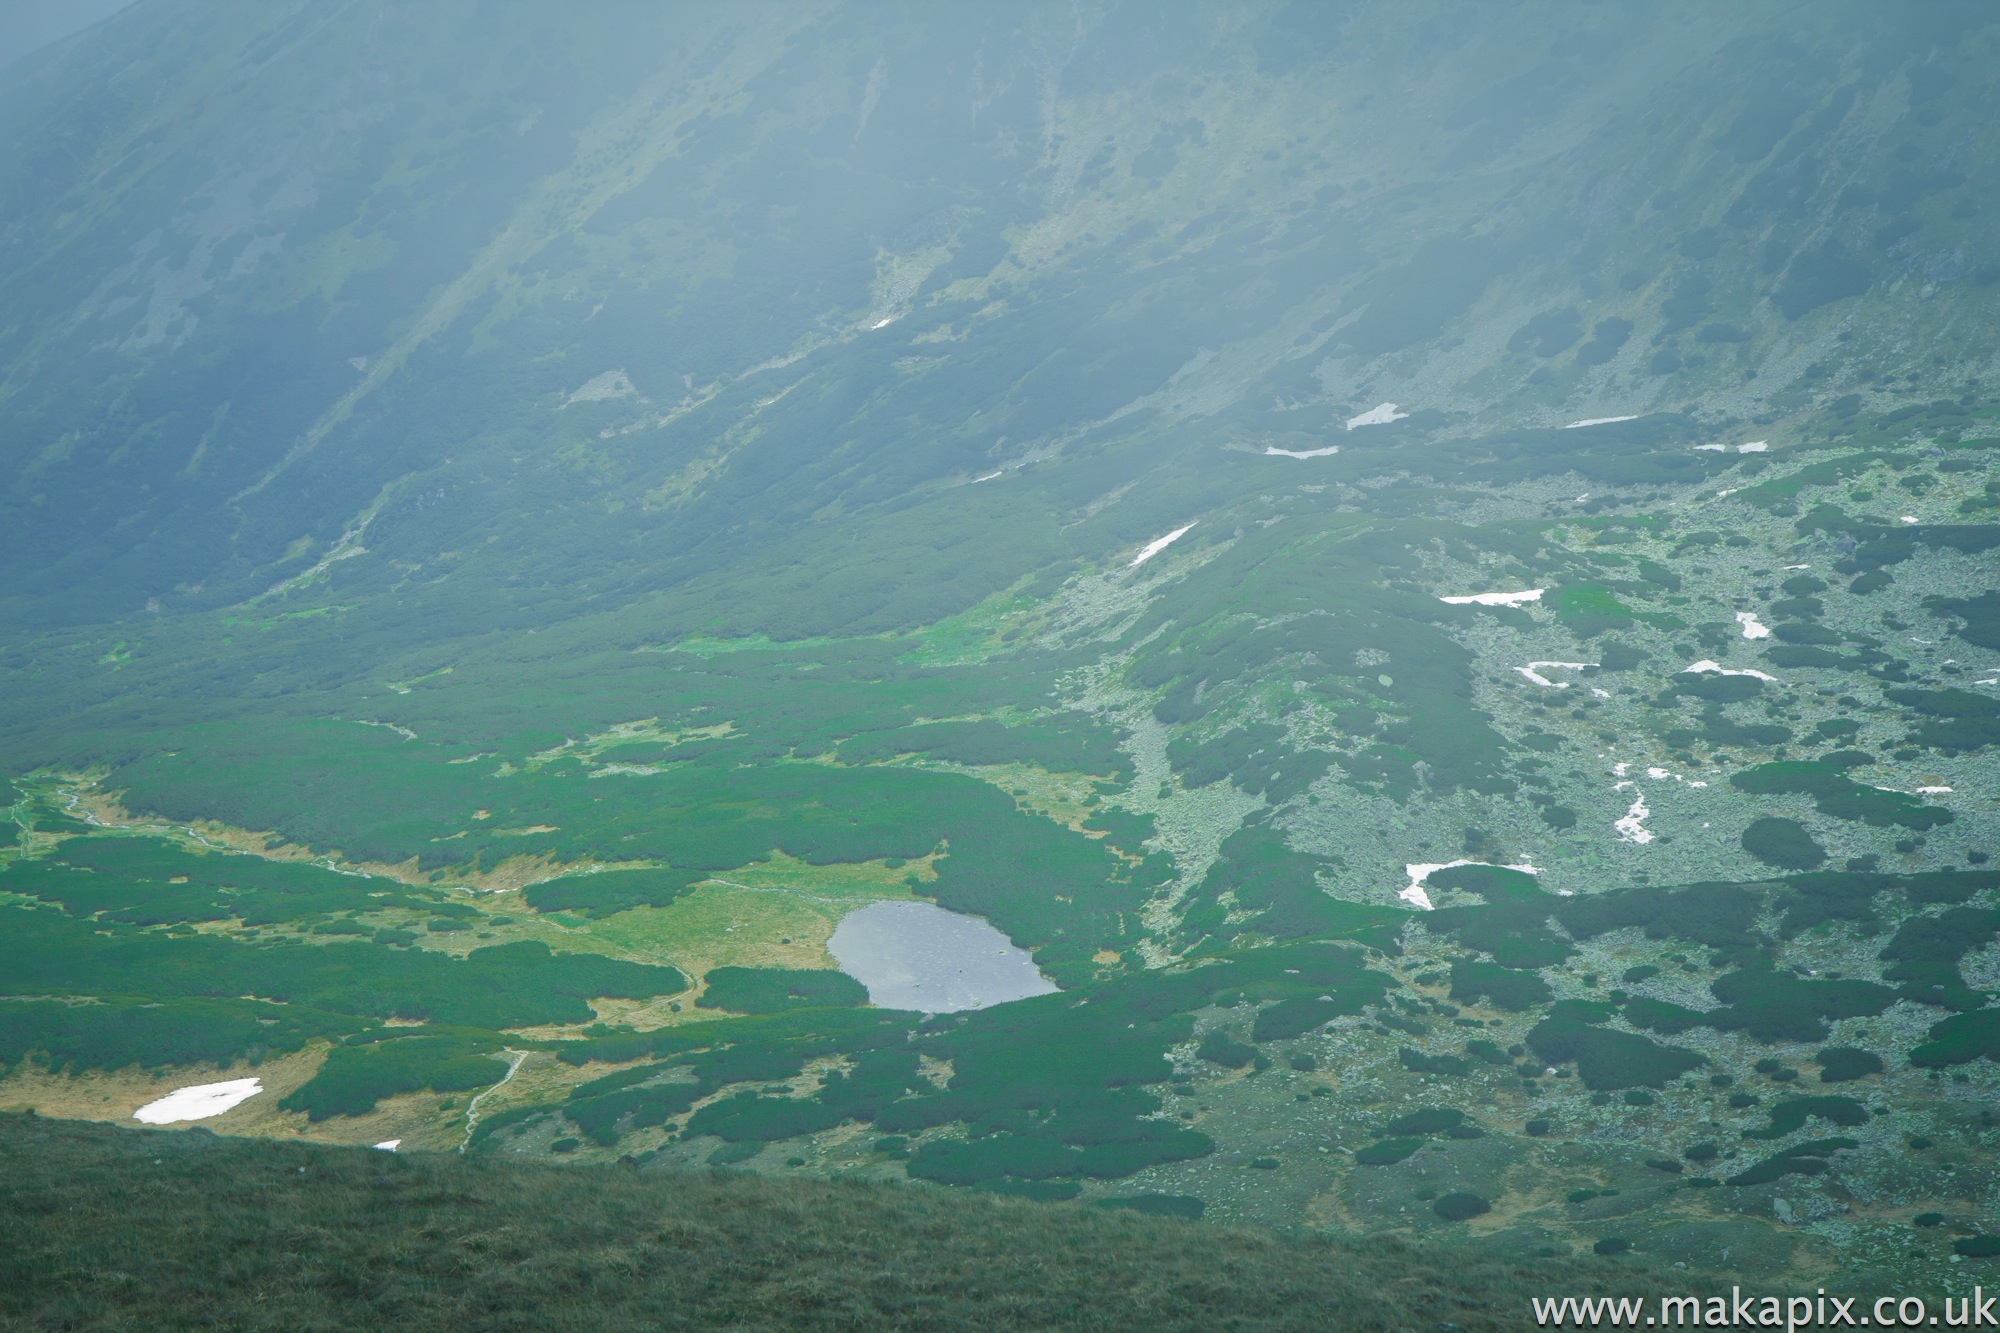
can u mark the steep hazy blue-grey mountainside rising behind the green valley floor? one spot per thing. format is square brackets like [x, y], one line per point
[659, 297]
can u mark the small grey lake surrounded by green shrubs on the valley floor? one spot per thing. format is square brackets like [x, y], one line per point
[917, 956]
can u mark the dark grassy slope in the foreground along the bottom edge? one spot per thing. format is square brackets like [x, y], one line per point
[105, 1228]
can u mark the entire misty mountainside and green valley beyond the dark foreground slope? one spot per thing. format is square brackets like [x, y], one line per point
[1417, 583]
